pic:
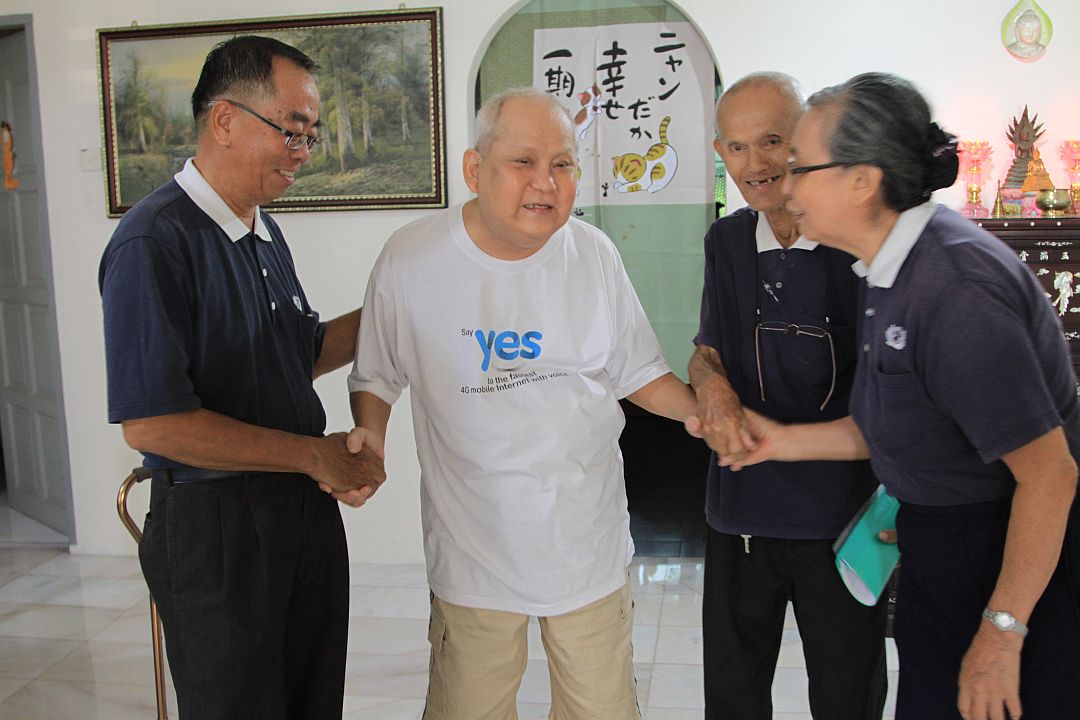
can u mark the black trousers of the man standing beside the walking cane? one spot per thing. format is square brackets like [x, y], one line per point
[251, 577]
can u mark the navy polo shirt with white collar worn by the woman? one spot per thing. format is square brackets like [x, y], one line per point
[963, 361]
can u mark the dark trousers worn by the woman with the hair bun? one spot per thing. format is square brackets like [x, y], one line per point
[952, 558]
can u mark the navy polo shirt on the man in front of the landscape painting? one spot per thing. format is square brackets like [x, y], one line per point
[200, 313]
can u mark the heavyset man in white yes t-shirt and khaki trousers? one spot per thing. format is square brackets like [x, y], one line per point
[519, 332]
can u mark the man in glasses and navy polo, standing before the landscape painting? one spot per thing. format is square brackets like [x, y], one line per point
[212, 349]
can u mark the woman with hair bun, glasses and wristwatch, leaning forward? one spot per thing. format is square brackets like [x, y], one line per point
[966, 402]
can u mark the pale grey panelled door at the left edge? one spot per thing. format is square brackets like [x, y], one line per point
[32, 411]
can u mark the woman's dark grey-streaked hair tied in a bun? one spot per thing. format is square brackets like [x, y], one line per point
[885, 121]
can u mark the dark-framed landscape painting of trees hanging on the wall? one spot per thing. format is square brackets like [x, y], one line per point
[382, 107]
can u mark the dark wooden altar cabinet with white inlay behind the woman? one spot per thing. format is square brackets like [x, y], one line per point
[1051, 249]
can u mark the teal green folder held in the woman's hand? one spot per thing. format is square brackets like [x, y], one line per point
[865, 563]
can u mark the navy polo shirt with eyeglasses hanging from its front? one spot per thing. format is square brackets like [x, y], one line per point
[750, 280]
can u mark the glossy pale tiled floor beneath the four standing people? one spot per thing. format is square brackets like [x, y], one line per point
[75, 643]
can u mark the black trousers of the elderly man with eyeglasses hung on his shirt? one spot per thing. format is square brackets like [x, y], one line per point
[746, 599]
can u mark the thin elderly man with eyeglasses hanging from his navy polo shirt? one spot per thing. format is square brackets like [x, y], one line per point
[777, 335]
